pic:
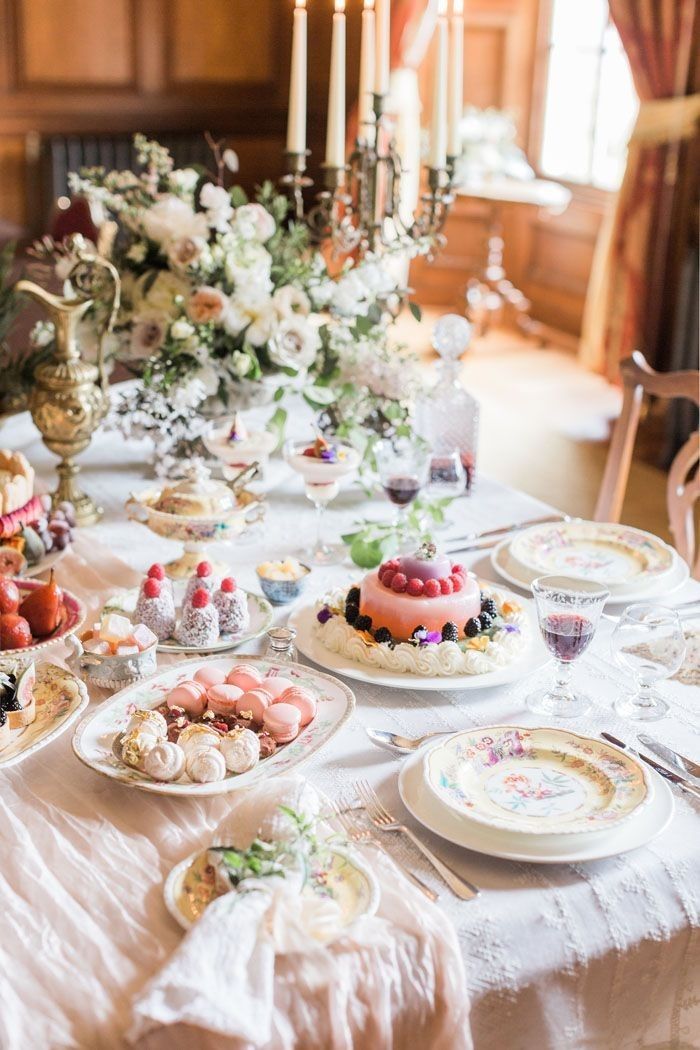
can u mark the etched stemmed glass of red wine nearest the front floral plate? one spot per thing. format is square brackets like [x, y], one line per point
[568, 612]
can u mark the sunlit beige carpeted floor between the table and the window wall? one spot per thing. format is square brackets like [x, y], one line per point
[546, 423]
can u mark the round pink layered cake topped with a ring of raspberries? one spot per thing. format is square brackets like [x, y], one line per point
[425, 591]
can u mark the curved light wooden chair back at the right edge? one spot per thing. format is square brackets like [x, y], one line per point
[684, 484]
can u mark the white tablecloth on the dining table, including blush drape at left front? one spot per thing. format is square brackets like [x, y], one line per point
[596, 956]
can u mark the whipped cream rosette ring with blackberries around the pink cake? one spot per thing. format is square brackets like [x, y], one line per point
[492, 650]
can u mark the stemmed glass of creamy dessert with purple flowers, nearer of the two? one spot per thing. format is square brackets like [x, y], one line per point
[323, 465]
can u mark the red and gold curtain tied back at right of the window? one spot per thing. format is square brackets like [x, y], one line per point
[628, 307]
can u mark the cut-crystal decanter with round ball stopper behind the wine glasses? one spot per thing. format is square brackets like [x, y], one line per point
[448, 415]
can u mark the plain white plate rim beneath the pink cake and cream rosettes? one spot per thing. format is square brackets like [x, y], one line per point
[304, 620]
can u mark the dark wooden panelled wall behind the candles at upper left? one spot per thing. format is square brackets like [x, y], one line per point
[90, 67]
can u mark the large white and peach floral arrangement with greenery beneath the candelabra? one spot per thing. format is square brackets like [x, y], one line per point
[226, 302]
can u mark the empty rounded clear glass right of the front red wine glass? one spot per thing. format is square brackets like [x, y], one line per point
[649, 642]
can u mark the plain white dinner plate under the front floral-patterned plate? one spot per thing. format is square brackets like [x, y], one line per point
[540, 850]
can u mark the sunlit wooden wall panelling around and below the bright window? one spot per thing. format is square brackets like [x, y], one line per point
[548, 257]
